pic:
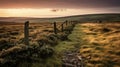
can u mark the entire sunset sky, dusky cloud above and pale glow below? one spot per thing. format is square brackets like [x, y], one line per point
[56, 8]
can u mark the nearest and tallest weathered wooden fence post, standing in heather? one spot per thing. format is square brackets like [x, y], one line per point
[26, 33]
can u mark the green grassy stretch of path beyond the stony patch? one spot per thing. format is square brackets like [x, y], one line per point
[73, 42]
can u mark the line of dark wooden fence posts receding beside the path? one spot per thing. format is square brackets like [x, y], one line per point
[55, 27]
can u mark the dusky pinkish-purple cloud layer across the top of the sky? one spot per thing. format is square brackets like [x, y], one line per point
[59, 3]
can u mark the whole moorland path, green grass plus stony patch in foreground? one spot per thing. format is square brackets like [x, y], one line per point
[69, 49]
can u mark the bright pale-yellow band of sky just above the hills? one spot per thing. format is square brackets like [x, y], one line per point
[27, 12]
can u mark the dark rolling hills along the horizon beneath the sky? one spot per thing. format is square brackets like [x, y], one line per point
[88, 17]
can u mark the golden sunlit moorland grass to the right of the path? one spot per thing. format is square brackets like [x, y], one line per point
[104, 44]
